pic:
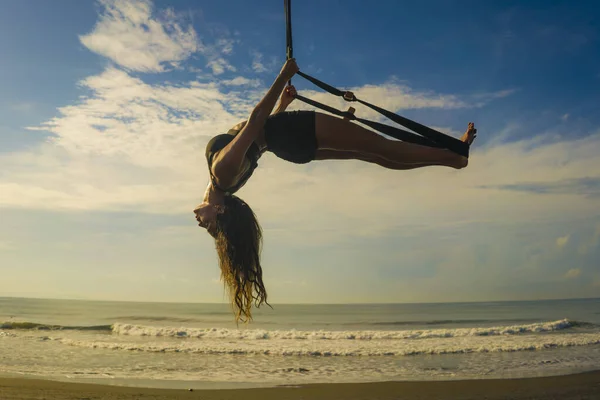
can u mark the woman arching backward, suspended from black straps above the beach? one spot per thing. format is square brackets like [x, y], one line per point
[299, 137]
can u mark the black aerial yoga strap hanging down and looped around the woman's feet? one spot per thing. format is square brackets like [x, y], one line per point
[430, 137]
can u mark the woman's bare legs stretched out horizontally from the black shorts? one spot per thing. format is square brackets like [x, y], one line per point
[338, 135]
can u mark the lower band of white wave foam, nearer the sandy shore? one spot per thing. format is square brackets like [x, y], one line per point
[283, 347]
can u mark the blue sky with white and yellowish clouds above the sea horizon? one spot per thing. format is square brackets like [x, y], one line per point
[106, 108]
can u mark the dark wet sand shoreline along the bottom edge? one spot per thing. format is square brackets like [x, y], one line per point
[566, 387]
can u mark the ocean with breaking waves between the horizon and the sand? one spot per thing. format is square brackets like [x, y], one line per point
[176, 345]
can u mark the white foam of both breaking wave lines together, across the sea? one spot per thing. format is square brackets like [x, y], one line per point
[532, 337]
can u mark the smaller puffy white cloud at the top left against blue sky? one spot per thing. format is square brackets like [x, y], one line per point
[128, 34]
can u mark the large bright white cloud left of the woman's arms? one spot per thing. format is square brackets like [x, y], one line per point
[145, 125]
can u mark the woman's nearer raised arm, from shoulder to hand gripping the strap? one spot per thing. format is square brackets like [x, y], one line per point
[228, 161]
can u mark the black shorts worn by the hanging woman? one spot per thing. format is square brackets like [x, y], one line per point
[291, 136]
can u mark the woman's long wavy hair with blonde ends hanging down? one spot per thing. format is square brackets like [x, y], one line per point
[239, 243]
